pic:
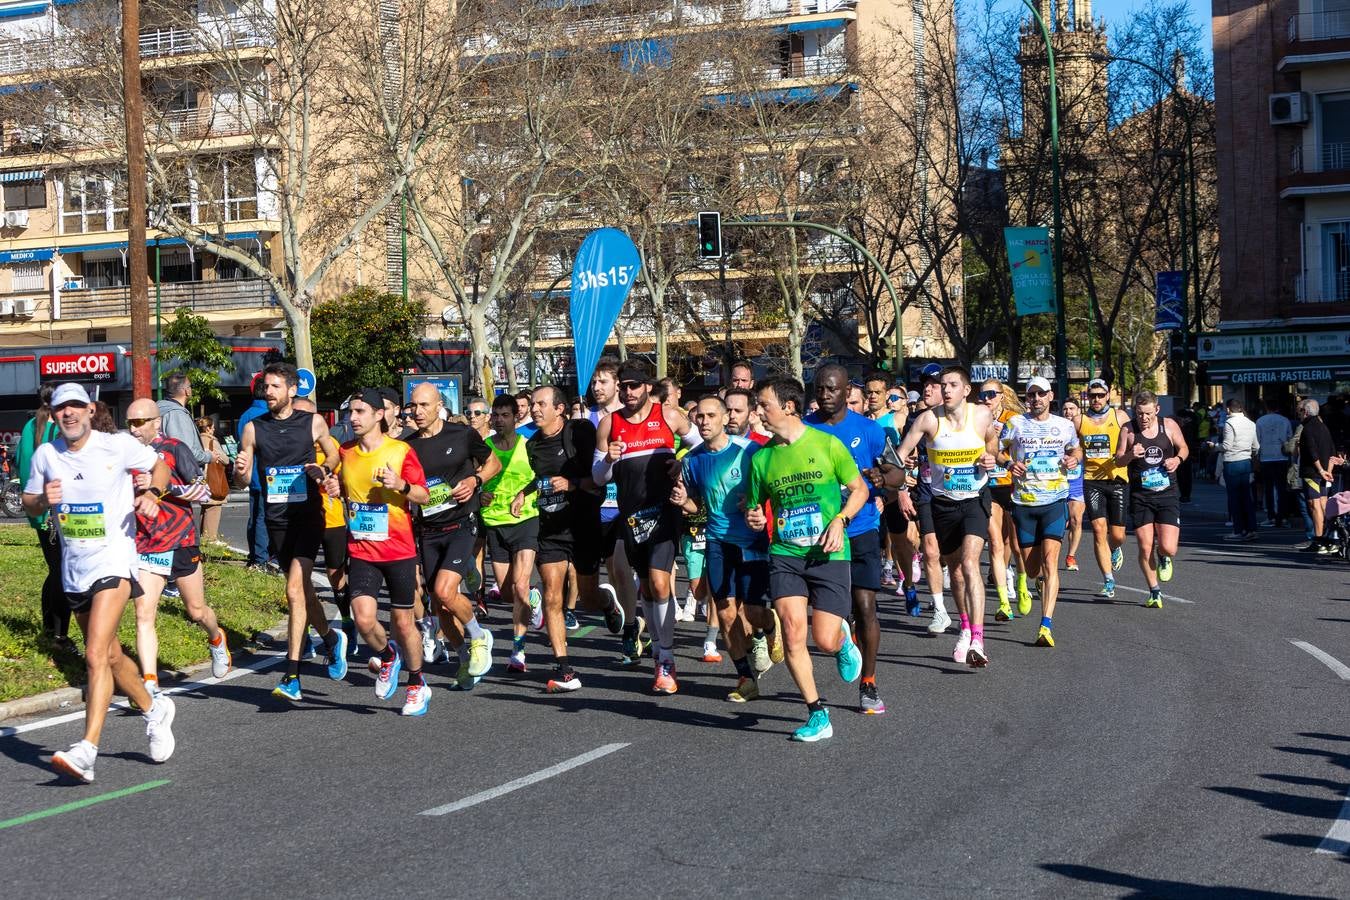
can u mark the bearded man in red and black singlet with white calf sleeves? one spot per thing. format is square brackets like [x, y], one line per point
[639, 457]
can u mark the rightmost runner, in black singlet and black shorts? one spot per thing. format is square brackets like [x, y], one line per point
[1154, 449]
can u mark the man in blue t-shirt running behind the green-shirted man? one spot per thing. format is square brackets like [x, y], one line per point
[866, 442]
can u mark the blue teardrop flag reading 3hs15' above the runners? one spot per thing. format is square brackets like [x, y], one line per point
[603, 276]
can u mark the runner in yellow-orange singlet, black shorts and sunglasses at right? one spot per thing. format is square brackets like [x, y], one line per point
[1104, 481]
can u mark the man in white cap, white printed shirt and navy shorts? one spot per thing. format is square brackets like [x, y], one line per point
[1040, 450]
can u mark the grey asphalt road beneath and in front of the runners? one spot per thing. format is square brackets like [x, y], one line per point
[1193, 752]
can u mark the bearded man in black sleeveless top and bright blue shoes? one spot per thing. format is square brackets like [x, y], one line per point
[284, 441]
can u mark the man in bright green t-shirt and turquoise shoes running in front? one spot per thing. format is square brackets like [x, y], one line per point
[801, 476]
